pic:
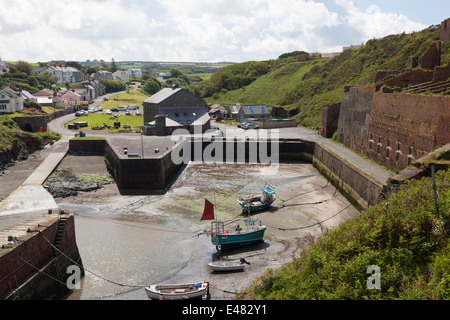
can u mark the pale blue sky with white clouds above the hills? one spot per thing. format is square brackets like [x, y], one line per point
[201, 30]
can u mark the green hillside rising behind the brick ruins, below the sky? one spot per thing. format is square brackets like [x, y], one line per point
[312, 85]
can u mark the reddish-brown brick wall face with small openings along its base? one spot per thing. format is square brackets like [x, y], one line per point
[404, 127]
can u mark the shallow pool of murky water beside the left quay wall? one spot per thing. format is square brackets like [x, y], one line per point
[121, 257]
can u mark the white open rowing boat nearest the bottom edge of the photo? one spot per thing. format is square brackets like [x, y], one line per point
[185, 291]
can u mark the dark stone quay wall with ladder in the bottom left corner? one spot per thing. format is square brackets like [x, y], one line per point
[18, 264]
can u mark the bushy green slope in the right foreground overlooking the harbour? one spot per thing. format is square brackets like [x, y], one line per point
[410, 246]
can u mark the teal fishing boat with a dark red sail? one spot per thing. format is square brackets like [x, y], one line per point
[252, 232]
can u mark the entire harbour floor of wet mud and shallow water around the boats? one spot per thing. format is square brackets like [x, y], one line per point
[129, 241]
